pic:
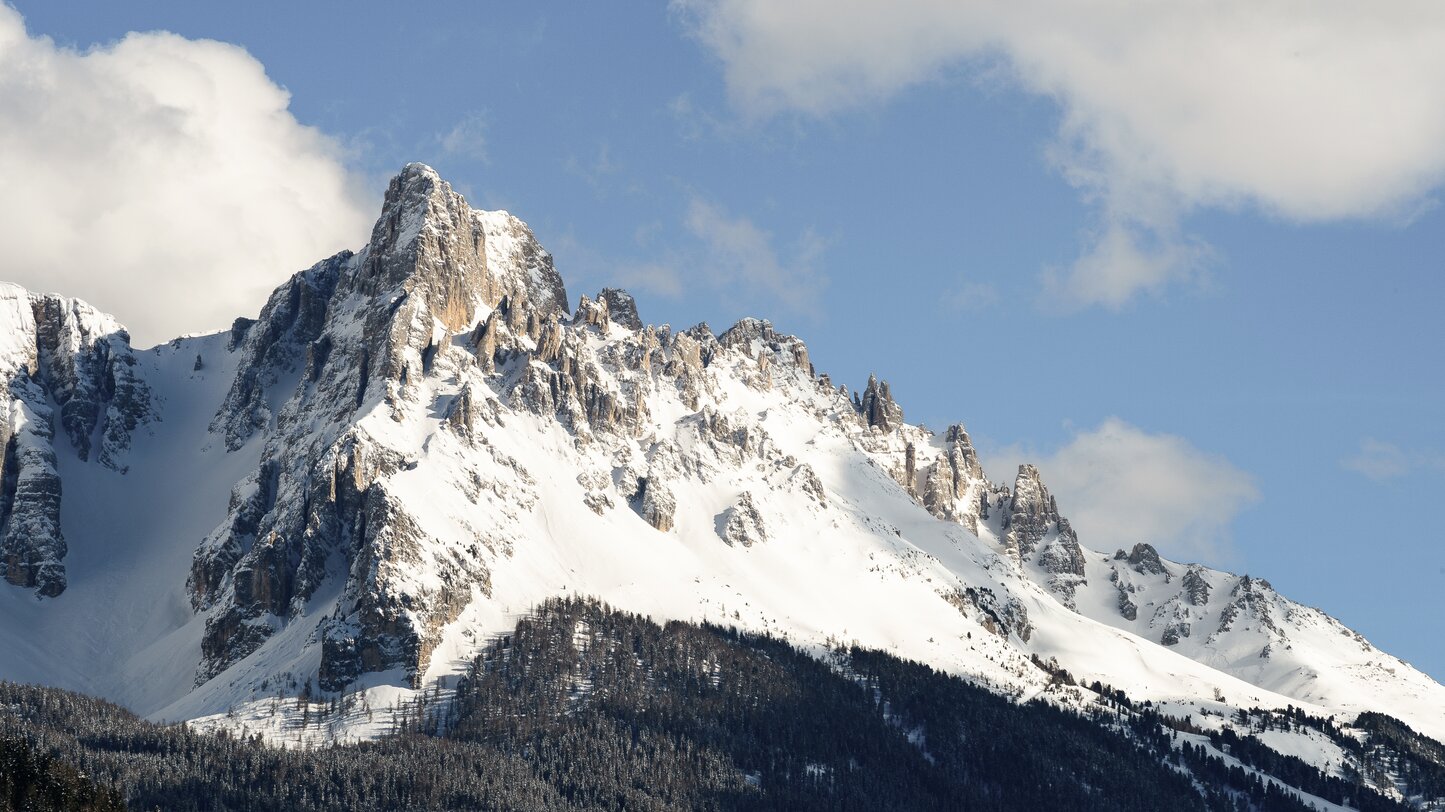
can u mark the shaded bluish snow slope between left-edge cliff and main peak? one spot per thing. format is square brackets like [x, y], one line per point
[124, 628]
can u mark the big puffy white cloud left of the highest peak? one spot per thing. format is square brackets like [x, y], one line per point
[161, 178]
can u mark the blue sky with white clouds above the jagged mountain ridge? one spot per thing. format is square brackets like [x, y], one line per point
[1200, 285]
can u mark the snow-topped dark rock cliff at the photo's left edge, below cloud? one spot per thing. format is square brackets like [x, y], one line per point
[66, 363]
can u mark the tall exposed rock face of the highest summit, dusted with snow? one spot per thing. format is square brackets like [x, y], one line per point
[345, 343]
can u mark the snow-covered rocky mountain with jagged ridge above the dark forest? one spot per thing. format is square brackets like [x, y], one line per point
[417, 443]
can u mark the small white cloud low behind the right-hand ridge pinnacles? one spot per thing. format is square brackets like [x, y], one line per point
[1119, 485]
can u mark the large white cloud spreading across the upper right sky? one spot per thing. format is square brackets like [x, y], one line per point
[1310, 111]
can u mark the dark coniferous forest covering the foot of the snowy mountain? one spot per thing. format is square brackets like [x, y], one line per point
[583, 707]
